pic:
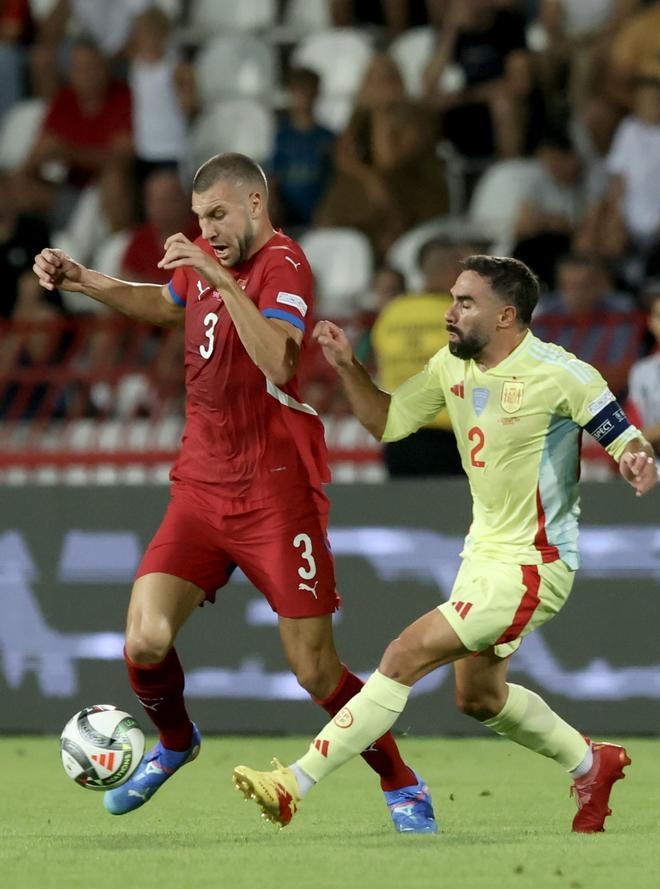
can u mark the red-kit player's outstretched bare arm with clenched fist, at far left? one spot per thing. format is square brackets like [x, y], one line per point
[144, 302]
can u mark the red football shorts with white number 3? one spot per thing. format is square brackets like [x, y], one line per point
[282, 548]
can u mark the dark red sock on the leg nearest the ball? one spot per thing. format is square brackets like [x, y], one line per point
[159, 688]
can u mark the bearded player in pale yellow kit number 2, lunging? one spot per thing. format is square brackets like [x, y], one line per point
[518, 406]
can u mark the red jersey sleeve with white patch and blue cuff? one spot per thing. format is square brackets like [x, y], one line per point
[287, 292]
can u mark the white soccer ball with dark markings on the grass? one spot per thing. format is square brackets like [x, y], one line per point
[101, 747]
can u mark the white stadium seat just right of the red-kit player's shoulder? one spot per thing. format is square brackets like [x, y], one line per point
[342, 262]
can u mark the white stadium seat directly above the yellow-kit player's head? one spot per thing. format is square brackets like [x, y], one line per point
[497, 198]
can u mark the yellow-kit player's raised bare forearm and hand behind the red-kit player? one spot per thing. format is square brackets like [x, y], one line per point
[369, 403]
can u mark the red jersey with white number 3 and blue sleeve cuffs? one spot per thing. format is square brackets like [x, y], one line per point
[246, 438]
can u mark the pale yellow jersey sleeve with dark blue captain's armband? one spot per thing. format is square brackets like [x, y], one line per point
[591, 404]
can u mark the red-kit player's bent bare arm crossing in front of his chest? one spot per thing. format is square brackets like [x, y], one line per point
[273, 345]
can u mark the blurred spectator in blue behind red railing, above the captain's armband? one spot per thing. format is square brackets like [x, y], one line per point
[589, 318]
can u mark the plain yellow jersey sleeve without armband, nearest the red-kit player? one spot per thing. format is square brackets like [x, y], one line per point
[416, 402]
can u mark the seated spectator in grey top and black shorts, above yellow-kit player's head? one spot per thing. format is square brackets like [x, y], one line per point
[551, 209]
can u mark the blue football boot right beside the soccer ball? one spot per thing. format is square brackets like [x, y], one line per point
[156, 767]
